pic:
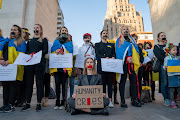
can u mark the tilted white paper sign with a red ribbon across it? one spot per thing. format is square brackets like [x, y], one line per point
[24, 59]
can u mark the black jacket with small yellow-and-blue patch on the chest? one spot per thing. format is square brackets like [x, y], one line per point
[103, 50]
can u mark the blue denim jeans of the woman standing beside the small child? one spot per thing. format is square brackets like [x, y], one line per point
[164, 83]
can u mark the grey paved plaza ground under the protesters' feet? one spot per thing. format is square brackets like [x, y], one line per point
[150, 111]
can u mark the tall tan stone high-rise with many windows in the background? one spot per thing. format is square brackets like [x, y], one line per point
[120, 12]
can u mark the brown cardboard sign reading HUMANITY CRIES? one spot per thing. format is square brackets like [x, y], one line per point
[89, 97]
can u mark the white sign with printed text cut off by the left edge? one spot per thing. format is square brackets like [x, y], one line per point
[8, 73]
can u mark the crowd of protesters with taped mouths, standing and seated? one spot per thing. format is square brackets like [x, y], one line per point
[18, 93]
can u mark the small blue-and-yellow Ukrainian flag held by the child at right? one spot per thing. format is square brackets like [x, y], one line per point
[173, 66]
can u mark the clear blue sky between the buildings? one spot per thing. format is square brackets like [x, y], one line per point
[82, 16]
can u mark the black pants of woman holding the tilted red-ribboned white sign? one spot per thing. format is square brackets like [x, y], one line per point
[38, 71]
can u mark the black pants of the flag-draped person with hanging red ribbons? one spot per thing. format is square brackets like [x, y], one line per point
[133, 82]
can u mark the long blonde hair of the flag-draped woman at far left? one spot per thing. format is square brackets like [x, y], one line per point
[19, 40]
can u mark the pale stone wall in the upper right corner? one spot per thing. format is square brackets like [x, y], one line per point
[165, 18]
